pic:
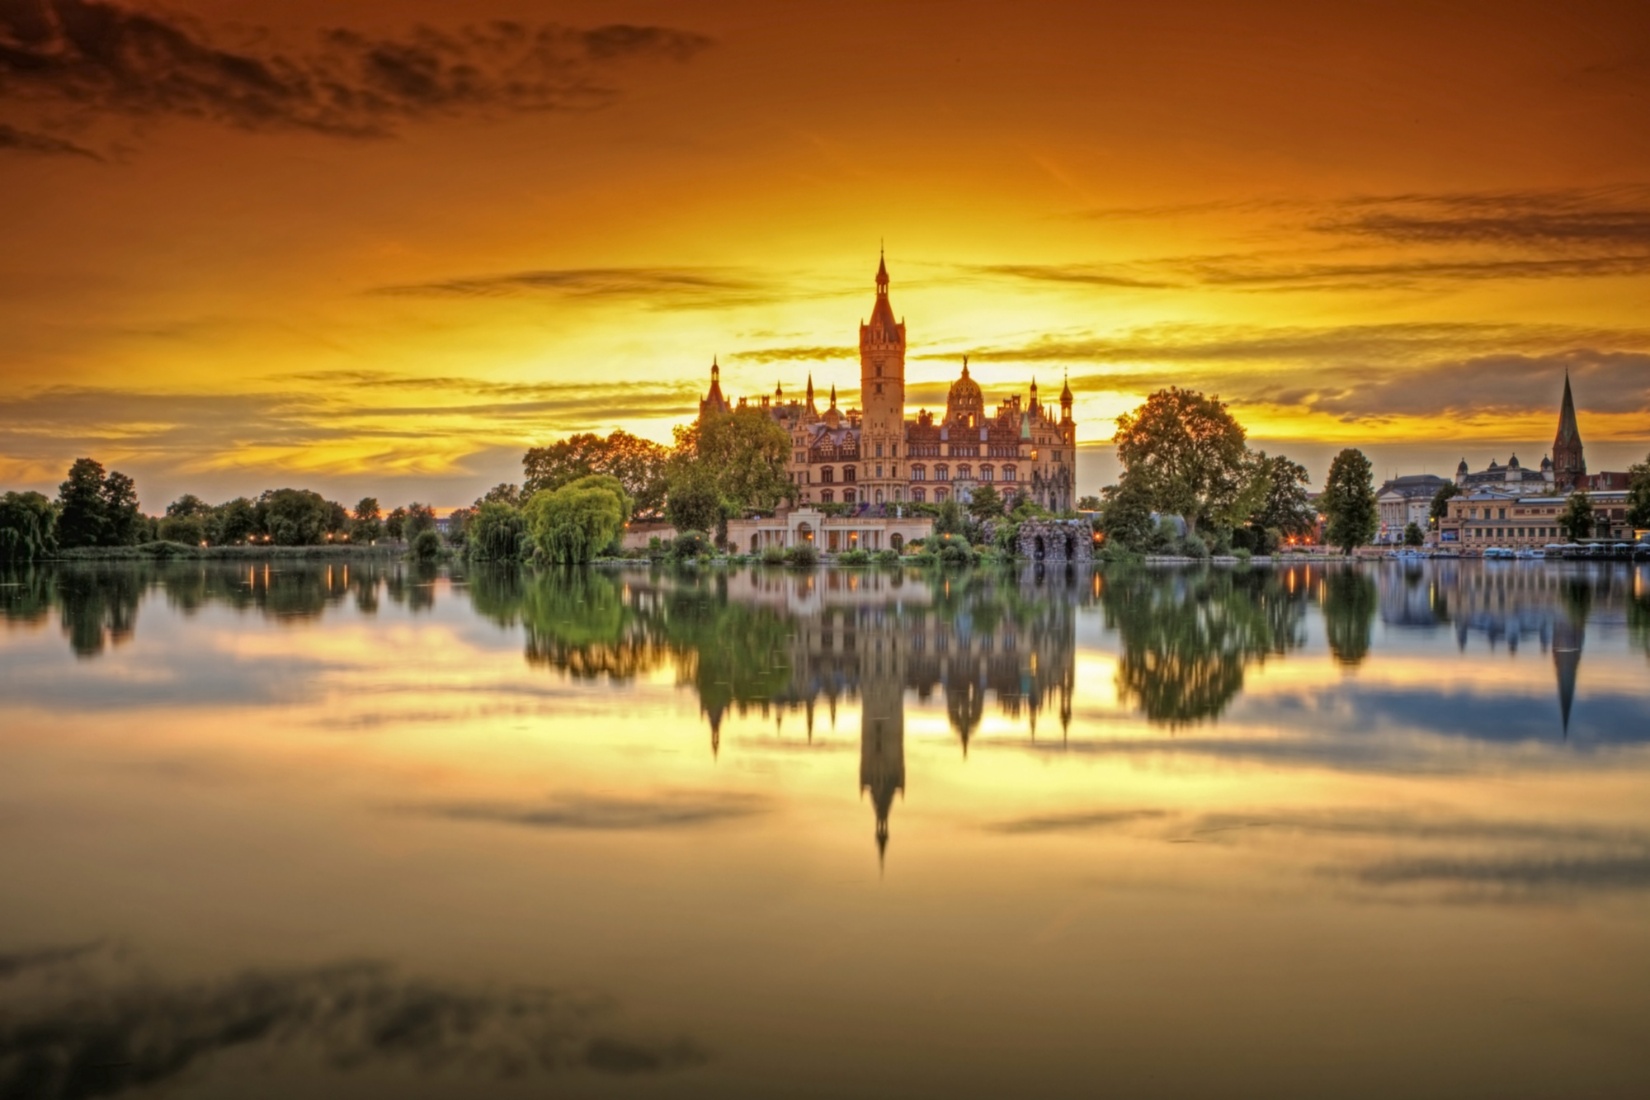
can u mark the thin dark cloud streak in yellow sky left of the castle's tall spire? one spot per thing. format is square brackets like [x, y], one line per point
[654, 288]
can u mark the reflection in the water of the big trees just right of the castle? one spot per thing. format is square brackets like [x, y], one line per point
[1189, 637]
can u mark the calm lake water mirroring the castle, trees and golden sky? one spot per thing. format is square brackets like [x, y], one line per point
[372, 832]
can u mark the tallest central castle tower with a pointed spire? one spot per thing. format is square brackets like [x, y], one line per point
[882, 400]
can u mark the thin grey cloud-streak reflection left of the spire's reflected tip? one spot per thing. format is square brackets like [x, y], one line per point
[595, 812]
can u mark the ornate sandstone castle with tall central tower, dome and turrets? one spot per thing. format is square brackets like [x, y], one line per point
[877, 459]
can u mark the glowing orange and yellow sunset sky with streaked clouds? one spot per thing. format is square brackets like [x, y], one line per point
[382, 248]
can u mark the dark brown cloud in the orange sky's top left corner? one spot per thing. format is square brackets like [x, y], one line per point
[106, 59]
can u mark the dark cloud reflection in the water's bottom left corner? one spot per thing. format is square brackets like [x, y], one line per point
[125, 1037]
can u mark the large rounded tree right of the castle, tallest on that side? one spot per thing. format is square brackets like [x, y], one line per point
[1189, 456]
